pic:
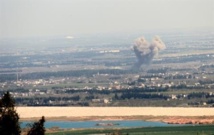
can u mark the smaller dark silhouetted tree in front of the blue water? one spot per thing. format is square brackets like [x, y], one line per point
[38, 127]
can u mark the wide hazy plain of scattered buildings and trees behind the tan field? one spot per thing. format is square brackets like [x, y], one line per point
[103, 74]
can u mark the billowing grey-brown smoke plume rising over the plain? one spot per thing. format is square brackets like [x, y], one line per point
[146, 51]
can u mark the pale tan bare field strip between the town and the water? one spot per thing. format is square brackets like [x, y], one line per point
[48, 112]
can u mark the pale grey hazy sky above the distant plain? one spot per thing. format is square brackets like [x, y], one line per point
[29, 18]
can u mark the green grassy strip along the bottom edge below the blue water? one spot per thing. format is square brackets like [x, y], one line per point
[178, 130]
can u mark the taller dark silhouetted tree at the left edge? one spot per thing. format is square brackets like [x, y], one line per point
[9, 119]
